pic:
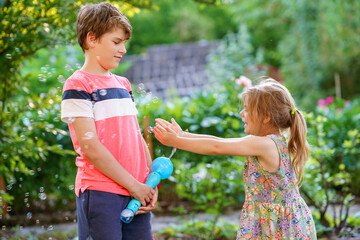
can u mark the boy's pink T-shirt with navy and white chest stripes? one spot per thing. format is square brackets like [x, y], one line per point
[108, 100]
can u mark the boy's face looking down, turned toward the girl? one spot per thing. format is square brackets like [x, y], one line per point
[109, 48]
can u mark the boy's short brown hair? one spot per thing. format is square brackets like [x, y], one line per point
[100, 19]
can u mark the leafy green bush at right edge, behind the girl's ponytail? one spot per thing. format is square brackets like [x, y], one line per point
[332, 177]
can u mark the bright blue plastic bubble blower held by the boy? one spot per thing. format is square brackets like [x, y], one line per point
[161, 168]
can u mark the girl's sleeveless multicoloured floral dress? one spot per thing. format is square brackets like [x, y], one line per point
[273, 208]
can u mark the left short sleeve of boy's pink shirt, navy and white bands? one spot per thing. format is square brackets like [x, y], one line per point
[76, 101]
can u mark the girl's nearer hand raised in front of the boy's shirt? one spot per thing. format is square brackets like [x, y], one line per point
[164, 133]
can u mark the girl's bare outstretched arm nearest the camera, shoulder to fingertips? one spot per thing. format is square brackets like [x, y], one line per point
[262, 147]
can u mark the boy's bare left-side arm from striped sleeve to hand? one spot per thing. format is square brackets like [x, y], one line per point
[105, 162]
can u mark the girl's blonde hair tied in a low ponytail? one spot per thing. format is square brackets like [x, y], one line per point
[271, 99]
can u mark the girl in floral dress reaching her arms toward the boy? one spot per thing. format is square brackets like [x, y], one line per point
[273, 207]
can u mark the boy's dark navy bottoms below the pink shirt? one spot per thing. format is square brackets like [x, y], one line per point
[98, 216]
